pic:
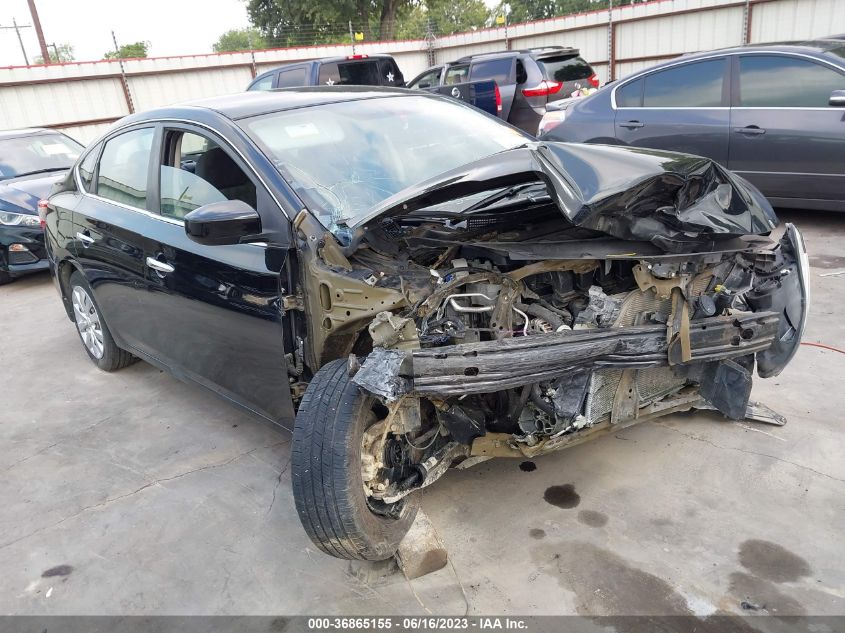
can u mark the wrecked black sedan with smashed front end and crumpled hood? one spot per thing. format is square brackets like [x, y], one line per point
[408, 284]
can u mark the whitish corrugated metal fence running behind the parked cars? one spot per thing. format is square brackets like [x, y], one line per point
[84, 98]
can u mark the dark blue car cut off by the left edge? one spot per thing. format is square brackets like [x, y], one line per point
[31, 161]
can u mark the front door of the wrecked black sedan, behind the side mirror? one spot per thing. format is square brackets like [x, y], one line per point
[215, 312]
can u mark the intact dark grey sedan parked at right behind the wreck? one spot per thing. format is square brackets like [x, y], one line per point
[771, 113]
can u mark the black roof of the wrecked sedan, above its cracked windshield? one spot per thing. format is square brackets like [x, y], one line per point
[248, 104]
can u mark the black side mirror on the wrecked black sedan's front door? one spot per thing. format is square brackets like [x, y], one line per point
[219, 223]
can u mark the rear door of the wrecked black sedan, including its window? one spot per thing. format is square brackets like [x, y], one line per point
[108, 235]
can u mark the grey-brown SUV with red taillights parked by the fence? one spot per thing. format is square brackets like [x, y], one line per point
[527, 79]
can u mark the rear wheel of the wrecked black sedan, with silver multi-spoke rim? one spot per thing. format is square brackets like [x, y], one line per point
[92, 329]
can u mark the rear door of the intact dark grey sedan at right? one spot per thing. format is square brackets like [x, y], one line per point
[683, 108]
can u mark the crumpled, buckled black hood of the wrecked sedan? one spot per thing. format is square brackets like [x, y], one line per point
[672, 200]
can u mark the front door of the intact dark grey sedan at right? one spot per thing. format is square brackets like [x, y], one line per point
[785, 137]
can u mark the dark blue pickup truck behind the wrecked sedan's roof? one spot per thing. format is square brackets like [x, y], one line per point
[371, 70]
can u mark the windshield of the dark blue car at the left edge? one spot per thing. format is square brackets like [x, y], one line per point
[38, 153]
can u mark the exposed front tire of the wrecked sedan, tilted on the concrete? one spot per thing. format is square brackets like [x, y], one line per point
[326, 470]
